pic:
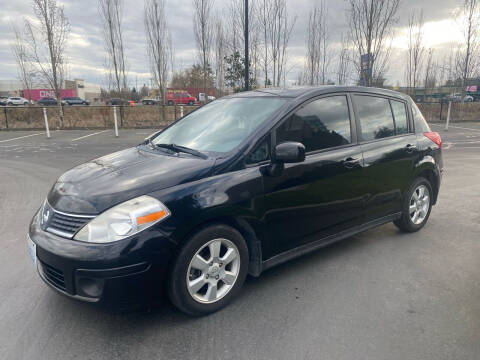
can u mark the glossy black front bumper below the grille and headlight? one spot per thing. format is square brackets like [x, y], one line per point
[120, 273]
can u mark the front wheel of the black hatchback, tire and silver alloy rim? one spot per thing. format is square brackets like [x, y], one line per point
[203, 296]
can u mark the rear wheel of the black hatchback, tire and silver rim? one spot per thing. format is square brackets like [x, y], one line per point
[415, 214]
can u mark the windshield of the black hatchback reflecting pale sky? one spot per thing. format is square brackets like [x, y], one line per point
[221, 125]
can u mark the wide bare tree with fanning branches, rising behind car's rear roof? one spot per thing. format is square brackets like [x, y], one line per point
[370, 27]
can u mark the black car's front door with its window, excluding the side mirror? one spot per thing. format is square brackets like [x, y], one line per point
[322, 195]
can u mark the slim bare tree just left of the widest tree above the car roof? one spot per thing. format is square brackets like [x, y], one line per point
[318, 58]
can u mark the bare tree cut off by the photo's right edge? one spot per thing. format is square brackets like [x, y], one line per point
[467, 56]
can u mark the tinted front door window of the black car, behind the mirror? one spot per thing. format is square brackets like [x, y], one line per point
[318, 125]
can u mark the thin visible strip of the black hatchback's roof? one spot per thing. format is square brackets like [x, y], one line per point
[307, 91]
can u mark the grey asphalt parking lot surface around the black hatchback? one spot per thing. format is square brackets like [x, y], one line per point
[377, 295]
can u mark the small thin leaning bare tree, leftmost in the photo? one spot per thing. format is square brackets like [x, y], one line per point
[25, 70]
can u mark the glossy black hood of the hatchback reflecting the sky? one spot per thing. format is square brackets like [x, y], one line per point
[99, 184]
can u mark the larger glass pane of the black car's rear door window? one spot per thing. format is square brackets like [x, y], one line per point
[375, 117]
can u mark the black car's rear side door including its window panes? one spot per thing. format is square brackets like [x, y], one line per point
[389, 150]
